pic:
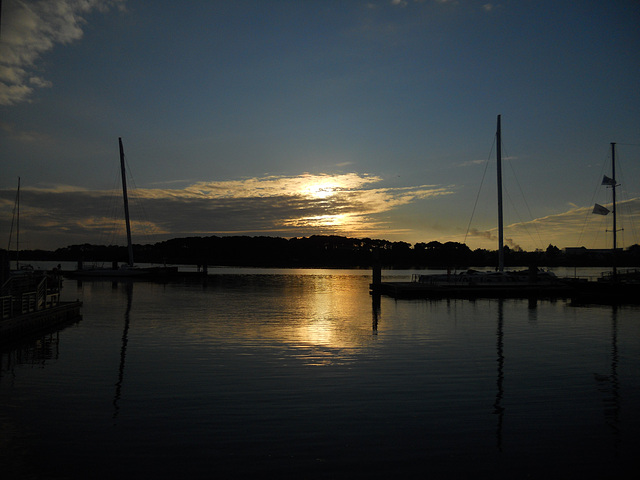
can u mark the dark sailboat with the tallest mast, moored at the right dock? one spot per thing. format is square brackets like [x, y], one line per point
[479, 283]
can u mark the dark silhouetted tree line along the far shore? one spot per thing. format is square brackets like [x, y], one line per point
[327, 251]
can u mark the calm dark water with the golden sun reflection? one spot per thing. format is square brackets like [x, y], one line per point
[301, 374]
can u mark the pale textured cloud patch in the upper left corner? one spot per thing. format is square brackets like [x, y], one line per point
[32, 28]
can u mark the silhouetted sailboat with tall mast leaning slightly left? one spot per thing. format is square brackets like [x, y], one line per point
[128, 269]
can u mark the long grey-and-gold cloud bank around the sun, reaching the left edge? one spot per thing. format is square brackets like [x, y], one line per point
[287, 206]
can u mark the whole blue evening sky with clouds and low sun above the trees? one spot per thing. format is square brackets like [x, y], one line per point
[291, 118]
